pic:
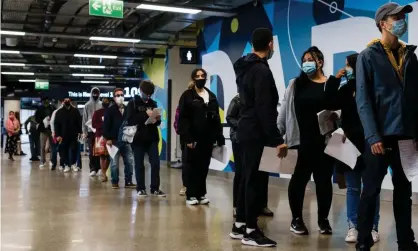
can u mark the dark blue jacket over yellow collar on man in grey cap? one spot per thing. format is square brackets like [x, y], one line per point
[387, 92]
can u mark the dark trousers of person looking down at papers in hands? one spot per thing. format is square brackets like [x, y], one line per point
[140, 150]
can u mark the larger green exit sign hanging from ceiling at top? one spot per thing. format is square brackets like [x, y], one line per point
[106, 8]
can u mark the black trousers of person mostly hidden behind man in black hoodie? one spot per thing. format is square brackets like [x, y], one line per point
[263, 194]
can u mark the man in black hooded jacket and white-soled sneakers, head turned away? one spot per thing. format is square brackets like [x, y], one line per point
[256, 129]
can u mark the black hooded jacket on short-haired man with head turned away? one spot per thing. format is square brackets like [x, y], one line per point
[259, 101]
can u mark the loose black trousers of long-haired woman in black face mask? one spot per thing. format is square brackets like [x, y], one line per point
[198, 161]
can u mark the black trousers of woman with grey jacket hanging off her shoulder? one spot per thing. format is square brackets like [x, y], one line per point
[312, 160]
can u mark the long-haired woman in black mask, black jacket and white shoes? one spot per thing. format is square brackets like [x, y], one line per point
[200, 128]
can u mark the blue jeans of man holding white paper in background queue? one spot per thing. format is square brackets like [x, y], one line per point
[128, 159]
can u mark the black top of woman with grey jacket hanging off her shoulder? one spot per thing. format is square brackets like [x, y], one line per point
[309, 100]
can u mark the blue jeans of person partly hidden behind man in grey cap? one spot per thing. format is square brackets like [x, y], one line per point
[354, 186]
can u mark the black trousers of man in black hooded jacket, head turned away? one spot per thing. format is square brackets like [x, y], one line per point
[252, 181]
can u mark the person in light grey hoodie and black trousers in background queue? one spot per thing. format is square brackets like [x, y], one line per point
[90, 107]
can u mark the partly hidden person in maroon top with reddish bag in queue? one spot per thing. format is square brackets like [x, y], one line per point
[99, 148]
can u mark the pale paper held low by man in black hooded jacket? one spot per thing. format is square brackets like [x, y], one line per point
[271, 163]
